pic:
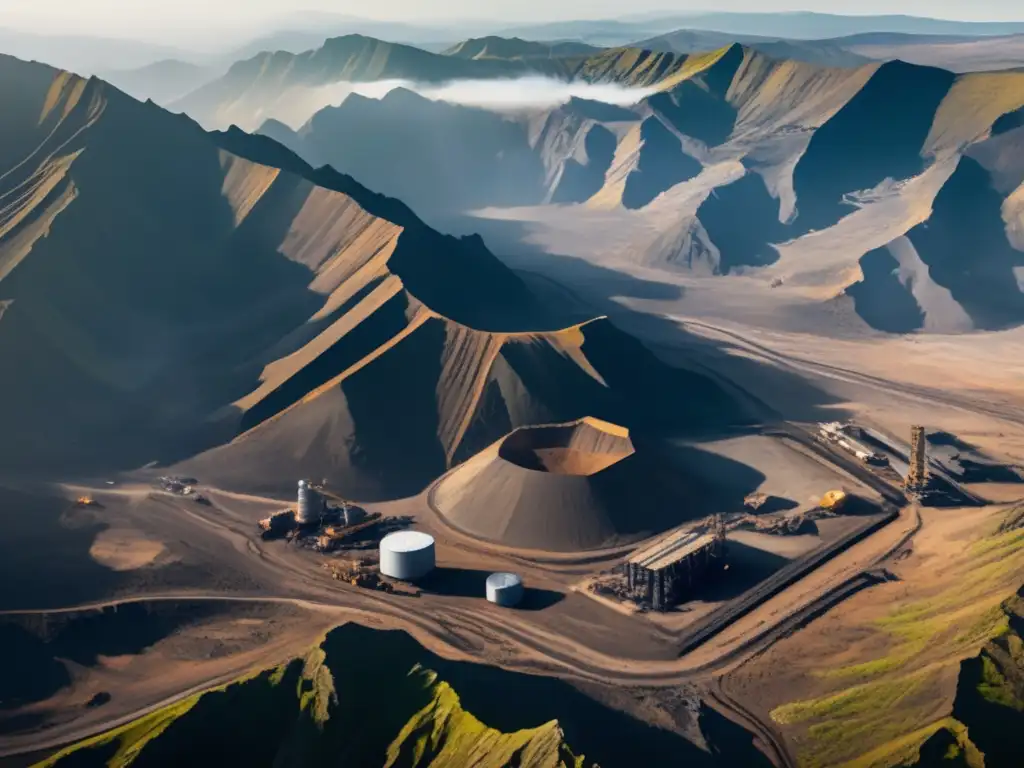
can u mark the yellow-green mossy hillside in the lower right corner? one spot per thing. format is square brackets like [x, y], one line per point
[881, 718]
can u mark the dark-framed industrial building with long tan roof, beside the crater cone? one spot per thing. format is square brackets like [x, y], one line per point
[665, 573]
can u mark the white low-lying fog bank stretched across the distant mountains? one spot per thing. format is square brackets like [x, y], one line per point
[521, 94]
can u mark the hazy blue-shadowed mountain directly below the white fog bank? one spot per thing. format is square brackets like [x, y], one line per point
[405, 144]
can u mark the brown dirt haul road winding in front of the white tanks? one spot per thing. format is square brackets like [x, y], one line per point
[460, 633]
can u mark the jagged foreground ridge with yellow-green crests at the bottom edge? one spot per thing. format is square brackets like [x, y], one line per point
[317, 711]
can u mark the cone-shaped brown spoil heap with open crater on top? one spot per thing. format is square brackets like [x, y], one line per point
[566, 488]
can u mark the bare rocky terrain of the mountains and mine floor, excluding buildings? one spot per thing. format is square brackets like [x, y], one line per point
[608, 324]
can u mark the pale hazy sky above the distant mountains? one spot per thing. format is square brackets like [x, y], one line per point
[125, 17]
